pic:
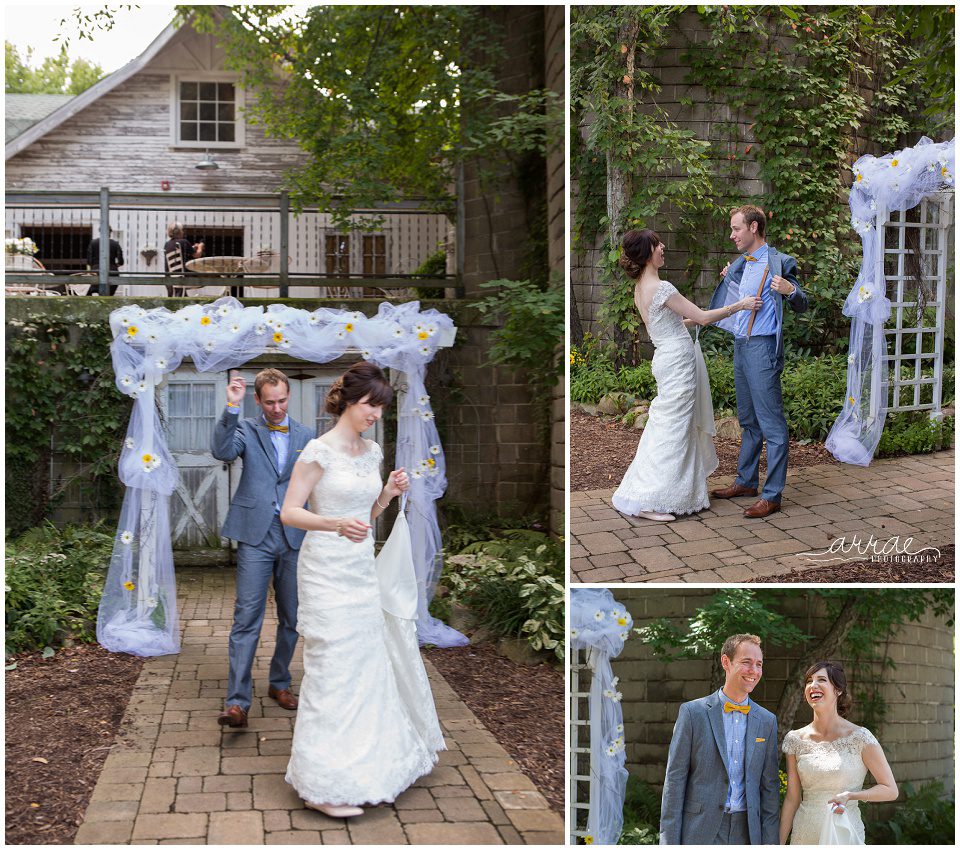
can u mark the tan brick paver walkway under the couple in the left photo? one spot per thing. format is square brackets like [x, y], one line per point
[176, 777]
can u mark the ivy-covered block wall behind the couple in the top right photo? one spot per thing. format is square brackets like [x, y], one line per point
[821, 88]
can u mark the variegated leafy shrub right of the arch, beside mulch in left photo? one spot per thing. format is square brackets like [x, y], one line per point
[513, 584]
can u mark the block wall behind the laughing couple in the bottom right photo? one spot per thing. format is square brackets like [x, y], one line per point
[917, 736]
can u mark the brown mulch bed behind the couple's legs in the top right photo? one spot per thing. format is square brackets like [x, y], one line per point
[602, 449]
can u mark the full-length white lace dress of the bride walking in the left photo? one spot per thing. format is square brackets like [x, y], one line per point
[366, 727]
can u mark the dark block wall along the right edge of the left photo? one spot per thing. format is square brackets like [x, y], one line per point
[504, 458]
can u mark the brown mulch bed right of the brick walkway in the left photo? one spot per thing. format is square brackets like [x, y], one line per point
[522, 705]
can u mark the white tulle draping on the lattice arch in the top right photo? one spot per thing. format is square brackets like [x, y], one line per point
[895, 181]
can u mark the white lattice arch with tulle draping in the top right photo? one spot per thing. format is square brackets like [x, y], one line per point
[884, 190]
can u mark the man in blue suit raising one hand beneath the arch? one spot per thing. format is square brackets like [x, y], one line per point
[269, 446]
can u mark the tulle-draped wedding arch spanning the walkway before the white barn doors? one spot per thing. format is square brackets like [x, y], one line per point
[138, 610]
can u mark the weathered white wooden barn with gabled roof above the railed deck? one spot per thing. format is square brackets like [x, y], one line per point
[142, 132]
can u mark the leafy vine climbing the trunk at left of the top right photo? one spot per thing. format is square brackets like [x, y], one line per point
[651, 167]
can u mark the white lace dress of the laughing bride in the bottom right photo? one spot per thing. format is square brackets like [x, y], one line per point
[827, 768]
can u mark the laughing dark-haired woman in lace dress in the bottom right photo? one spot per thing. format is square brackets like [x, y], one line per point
[827, 762]
